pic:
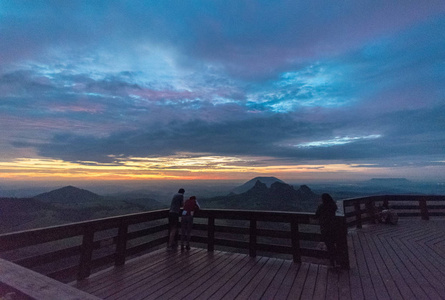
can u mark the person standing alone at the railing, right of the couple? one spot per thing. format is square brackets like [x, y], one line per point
[326, 214]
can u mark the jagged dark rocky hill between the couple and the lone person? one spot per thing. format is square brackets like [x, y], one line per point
[279, 196]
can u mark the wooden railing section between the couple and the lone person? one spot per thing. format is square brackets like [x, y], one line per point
[299, 230]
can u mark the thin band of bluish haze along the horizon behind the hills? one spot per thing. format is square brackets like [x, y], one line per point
[163, 189]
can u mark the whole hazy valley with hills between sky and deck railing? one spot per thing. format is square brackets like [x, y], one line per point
[29, 207]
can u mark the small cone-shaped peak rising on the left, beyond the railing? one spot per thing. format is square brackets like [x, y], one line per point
[69, 195]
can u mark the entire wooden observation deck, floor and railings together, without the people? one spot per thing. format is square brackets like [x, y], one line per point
[403, 261]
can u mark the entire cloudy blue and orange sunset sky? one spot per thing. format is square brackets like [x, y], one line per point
[224, 90]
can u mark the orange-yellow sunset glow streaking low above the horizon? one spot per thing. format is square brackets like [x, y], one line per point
[164, 168]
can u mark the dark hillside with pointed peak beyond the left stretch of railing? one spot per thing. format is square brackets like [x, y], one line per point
[65, 205]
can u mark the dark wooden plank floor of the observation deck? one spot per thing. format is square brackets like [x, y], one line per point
[406, 261]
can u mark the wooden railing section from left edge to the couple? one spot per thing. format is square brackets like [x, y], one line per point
[72, 251]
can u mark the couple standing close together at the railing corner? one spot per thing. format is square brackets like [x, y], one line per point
[189, 208]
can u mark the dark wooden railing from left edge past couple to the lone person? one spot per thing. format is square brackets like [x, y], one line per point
[74, 251]
